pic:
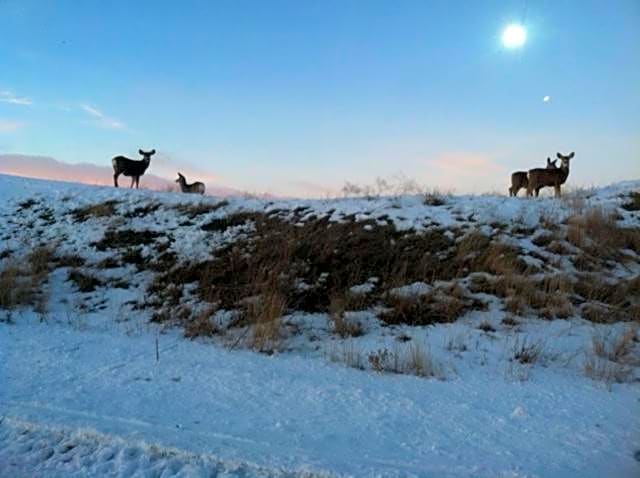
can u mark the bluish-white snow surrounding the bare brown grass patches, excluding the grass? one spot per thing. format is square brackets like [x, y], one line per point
[83, 394]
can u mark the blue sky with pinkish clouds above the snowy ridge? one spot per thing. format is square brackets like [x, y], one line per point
[297, 97]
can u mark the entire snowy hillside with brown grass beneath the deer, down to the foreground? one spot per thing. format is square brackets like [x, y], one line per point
[159, 334]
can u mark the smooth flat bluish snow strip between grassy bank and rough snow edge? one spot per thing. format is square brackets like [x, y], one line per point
[304, 415]
